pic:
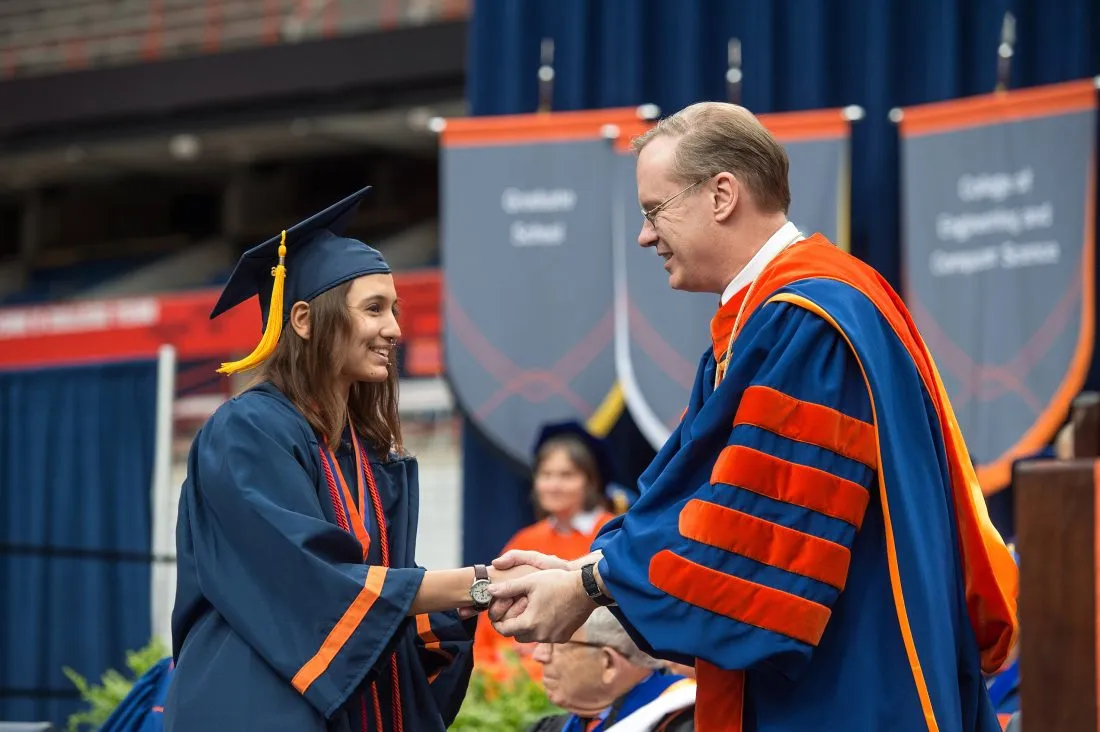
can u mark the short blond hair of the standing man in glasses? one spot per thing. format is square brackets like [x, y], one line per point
[720, 138]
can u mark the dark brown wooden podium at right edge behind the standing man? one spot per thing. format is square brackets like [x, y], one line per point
[1058, 515]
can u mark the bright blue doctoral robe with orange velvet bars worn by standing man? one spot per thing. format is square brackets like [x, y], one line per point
[798, 537]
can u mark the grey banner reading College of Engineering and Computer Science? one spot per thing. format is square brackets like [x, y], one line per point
[997, 202]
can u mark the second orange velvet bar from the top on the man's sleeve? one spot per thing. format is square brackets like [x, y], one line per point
[790, 483]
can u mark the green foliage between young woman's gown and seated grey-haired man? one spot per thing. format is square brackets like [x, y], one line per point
[510, 706]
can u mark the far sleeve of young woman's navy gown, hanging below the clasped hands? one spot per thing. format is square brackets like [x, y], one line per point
[446, 648]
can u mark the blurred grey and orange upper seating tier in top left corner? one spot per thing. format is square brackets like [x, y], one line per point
[43, 37]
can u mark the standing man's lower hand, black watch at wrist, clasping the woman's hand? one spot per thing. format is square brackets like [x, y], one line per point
[547, 607]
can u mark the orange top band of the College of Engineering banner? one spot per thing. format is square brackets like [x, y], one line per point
[998, 108]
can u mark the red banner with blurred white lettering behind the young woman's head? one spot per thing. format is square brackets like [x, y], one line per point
[130, 329]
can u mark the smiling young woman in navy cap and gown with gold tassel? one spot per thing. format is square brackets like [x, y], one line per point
[299, 604]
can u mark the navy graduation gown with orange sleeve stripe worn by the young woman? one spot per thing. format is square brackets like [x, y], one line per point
[280, 621]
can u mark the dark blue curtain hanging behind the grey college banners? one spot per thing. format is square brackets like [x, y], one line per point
[797, 54]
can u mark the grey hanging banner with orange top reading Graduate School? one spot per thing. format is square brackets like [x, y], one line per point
[527, 260]
